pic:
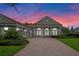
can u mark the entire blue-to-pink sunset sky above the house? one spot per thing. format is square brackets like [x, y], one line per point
[65, 13]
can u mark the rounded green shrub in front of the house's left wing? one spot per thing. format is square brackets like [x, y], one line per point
[12, 34]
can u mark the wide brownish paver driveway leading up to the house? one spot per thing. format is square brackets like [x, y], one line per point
[47, 47]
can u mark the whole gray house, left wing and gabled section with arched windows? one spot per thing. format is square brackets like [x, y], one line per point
[45, 27]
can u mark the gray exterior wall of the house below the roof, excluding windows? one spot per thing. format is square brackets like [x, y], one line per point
[31, 32]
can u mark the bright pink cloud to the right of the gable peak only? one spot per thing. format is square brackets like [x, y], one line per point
[68, 19]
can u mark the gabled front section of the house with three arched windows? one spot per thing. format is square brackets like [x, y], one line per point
[46, 27]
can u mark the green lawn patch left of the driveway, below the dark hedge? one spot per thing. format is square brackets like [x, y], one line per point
[9, 50]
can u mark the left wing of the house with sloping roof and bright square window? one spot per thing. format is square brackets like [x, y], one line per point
[7, 23]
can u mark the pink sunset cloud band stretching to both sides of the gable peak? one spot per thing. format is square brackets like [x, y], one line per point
[65, 20]
